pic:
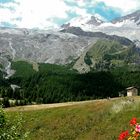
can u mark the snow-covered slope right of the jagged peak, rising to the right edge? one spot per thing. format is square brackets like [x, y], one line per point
[127, 26]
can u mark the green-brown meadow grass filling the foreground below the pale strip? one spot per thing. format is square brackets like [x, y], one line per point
[98, 120]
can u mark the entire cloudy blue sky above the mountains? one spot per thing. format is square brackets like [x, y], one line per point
[47, 14]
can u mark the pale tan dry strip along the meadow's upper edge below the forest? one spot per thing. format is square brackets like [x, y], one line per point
[45, 106]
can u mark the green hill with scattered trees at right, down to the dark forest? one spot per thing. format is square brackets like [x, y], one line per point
[110, 54]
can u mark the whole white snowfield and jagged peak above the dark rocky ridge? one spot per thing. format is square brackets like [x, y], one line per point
[127, 26]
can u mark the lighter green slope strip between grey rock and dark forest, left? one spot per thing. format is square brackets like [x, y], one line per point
[26, 69]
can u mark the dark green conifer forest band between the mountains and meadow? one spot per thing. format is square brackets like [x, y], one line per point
[49, 83]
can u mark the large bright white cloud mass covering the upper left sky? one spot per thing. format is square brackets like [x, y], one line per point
[34, 13]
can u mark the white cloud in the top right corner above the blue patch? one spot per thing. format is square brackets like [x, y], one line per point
[125, 6]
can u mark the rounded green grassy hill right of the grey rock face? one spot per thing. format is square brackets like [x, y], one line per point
[112, 52]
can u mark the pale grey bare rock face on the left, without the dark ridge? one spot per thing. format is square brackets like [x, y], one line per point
[41, 46]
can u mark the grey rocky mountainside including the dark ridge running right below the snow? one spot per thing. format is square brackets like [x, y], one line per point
[37, 46]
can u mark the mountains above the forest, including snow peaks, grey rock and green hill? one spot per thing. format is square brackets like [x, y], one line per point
[86, 42]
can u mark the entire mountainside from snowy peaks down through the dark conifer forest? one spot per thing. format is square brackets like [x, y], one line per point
[78, 61]
